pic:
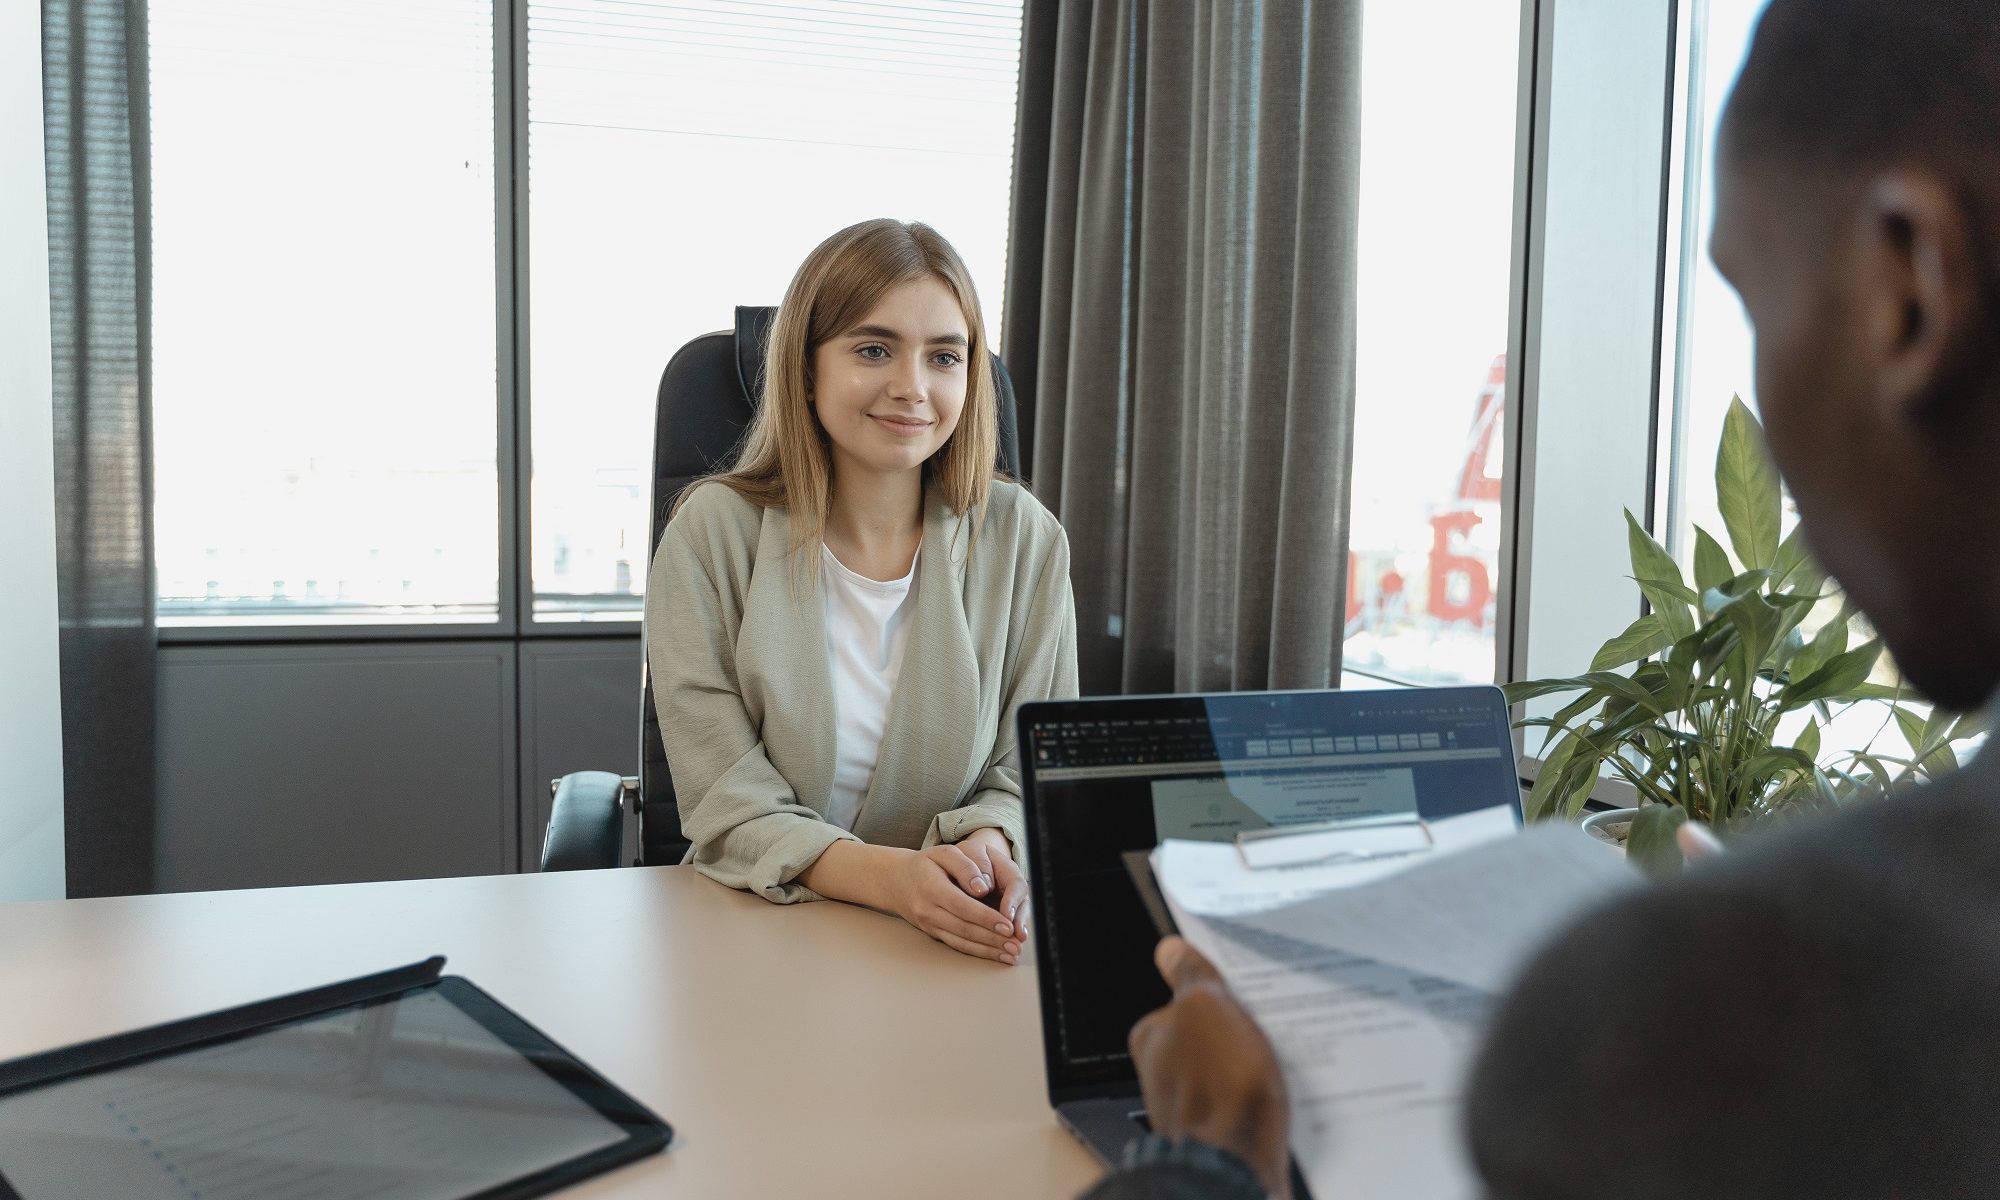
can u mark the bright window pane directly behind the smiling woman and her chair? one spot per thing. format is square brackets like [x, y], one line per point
[683, 161]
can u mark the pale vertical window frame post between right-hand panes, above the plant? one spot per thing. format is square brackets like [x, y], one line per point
[1595, 185]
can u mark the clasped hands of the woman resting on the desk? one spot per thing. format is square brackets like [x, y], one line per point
[971, 897]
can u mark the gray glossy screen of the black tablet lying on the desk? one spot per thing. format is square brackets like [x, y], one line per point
[403, 1099]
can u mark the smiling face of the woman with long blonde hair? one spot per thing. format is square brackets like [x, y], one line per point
[891, 389]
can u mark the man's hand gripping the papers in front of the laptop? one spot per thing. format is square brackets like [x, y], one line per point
[1209, 1073]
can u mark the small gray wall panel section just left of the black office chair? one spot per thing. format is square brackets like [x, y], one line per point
[579, 711]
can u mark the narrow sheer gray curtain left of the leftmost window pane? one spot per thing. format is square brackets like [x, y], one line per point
[99, 255]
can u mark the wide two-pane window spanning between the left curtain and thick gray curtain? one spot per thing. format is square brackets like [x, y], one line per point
[329, 401]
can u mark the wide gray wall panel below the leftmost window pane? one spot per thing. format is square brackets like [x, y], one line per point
[313, 765]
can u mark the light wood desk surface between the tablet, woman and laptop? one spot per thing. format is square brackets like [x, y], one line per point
[797, 1051]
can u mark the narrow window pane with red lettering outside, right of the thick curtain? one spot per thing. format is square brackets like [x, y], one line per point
[1439, 97]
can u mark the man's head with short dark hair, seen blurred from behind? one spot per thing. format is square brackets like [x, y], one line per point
[1859, 217]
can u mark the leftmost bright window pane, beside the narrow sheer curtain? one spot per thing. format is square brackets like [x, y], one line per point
[325, 425]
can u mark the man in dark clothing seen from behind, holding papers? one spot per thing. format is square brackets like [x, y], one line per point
[1819, 1015]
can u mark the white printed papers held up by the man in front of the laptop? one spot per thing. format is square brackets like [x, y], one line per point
[1375, 979]
